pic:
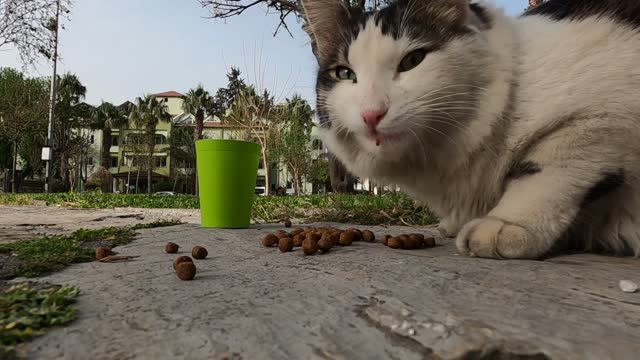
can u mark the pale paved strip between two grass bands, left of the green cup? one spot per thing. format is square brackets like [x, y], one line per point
[28, 222]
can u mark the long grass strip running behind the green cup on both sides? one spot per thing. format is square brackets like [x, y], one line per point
[361, 208]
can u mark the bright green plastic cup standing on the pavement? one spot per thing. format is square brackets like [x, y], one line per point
[227, 173]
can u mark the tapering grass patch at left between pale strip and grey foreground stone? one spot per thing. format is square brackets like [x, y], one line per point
[53, 253]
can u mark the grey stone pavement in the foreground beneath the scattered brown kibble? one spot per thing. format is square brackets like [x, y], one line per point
[365, 301]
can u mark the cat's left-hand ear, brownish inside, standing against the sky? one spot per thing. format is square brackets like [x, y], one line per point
[324, 20]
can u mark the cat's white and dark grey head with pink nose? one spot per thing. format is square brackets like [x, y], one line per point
[402, 79]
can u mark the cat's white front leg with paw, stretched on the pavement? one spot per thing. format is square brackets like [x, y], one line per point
[535, 211]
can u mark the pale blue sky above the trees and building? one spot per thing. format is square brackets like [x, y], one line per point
[122, 49]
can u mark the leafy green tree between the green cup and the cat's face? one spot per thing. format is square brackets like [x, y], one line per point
[294, 148]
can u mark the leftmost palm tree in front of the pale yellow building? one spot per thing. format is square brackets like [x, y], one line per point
[106, 117]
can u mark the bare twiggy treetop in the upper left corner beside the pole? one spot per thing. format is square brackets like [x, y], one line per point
[29, 26]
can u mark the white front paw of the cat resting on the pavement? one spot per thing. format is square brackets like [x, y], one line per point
[495, 238]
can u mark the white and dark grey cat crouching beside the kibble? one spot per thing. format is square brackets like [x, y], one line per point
[522, 134]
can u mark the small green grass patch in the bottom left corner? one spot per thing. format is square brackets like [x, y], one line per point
[25, 312]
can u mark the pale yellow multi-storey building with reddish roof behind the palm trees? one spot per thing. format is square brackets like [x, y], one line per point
[128, 158]
